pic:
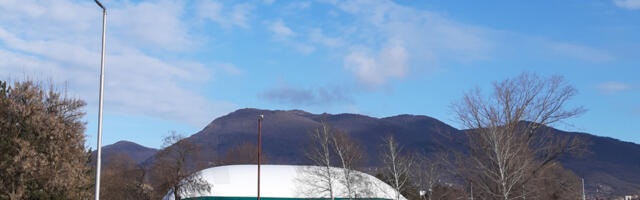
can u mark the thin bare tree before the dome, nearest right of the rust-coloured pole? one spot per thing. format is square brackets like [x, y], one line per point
[322, 180]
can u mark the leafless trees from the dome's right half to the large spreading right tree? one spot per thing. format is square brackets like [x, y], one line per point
[509, 151]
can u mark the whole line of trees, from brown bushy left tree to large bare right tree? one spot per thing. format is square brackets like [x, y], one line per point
[508, 152]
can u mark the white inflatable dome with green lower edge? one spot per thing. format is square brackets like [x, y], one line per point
[286, 182]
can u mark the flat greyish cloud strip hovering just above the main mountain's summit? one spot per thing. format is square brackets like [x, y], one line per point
[321, 96]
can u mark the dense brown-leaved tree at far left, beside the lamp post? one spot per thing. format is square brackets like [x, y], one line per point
[42, 152]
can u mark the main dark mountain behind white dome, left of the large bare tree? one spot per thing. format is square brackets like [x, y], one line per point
[285, 133]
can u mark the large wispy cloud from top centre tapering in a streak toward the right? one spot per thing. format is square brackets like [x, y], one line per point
[426, 40]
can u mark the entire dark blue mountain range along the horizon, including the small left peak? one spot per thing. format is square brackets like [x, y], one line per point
[609, 166]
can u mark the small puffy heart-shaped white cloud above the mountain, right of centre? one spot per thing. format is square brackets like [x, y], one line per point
[375, 71]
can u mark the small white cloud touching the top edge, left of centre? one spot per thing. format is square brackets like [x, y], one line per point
[237, 15]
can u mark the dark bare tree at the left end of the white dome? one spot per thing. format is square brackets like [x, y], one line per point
[174, 168]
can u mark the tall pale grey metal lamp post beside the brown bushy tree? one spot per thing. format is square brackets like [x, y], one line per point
[99, 156]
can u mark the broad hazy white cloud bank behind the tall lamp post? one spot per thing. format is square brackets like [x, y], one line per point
[135, 83]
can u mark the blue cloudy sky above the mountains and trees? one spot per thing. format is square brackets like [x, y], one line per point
[177, 65]
